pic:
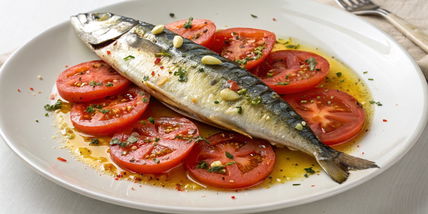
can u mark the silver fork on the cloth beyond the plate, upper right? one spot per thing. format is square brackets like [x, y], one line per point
[364, 7]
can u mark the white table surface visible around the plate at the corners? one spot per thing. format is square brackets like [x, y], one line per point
[401, 189]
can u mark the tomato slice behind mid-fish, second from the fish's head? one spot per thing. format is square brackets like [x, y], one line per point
[246, 46]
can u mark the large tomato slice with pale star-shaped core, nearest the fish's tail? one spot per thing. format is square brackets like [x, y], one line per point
[335, 116]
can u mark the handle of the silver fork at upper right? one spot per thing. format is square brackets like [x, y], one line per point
[409, 30]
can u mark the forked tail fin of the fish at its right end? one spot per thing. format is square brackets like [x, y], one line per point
[338, 166]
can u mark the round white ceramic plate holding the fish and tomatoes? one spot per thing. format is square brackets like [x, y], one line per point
[398, 84]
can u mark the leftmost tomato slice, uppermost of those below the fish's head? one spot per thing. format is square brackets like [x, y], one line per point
[90, 81]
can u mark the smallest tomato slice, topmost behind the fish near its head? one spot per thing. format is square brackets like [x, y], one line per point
[199, 31]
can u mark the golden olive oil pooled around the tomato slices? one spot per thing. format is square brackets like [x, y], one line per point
[290, 166]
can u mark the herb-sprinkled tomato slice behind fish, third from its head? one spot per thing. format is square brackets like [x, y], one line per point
[292, 71]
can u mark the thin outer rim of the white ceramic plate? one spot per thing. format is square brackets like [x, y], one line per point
[242, 208]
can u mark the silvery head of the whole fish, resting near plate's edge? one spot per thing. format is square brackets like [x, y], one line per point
[98, 28]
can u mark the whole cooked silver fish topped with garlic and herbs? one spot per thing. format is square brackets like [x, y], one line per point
[176, 76]
